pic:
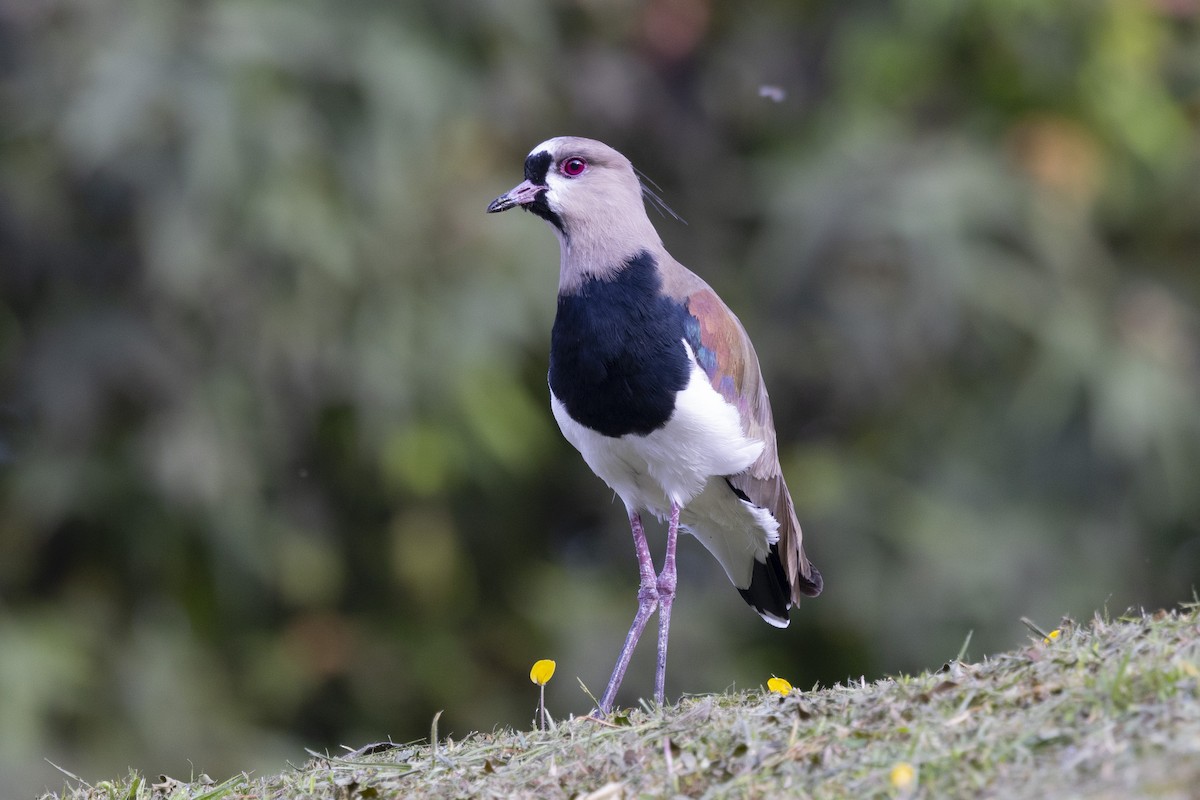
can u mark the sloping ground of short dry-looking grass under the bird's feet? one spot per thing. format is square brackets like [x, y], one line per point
[1111, 709]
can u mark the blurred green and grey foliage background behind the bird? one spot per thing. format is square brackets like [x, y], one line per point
[277, 461]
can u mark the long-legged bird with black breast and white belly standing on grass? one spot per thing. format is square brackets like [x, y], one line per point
[655, 381]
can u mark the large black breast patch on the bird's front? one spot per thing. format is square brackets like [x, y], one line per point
[616, 354]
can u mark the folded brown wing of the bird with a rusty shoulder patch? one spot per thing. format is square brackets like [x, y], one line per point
[724, 351]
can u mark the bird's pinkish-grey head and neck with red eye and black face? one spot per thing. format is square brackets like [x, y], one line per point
[592, 197]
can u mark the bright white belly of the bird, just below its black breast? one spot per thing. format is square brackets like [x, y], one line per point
[703, 440]
